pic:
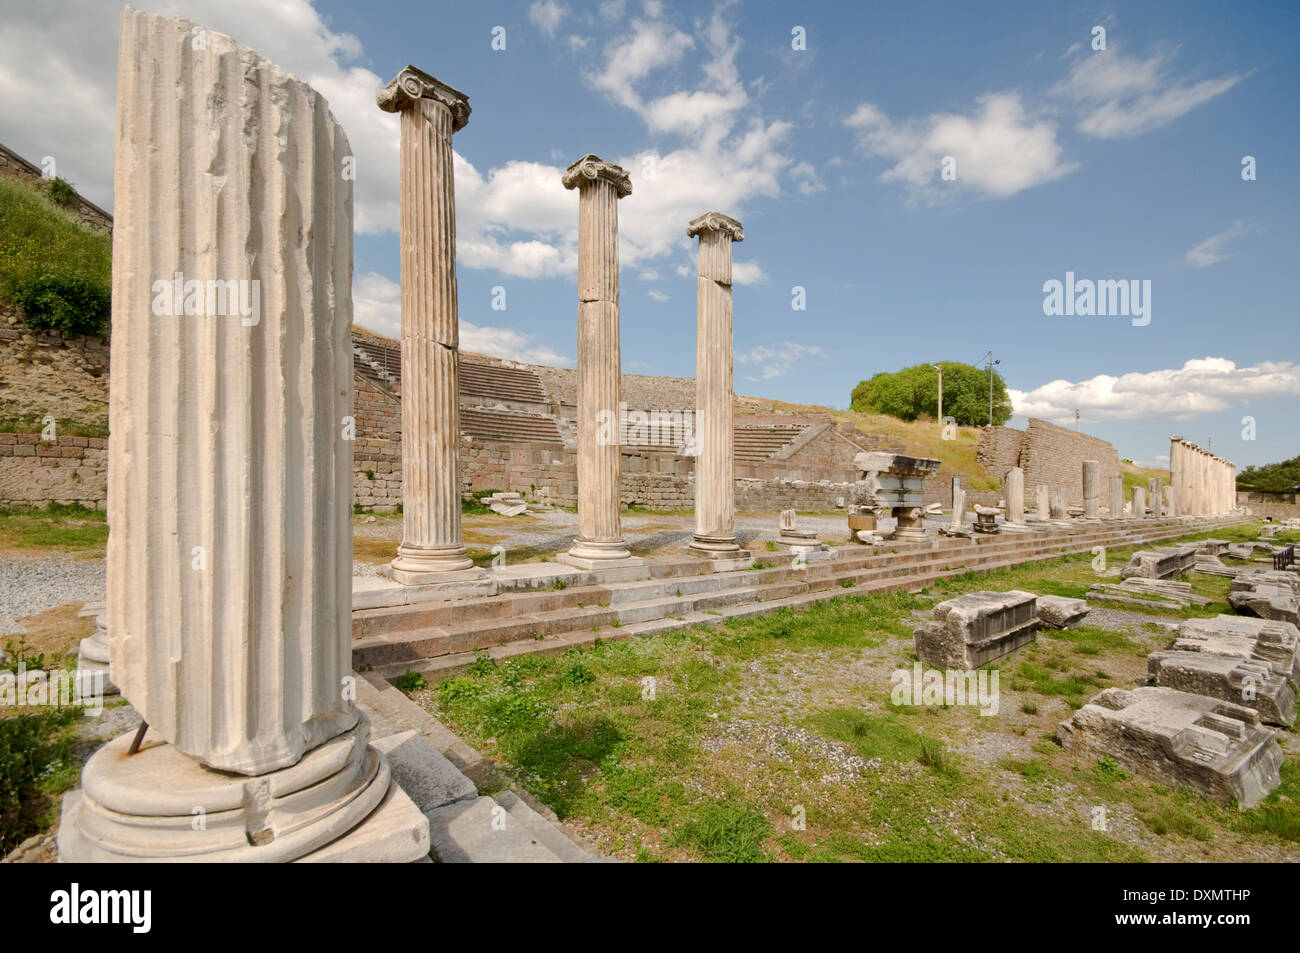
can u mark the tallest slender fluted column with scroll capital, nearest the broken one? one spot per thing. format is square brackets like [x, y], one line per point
[431, 548]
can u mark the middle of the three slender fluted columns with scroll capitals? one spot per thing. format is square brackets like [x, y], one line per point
[600, 187]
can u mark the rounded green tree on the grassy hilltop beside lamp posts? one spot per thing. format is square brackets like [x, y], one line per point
[915, 391]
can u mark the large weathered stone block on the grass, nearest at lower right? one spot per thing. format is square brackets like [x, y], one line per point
[1185, 740]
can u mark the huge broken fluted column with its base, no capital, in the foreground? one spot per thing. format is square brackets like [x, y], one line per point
[231, 479]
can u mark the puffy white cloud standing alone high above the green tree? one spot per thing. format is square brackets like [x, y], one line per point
[999, 150]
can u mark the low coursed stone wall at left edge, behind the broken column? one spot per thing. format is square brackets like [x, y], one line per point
[68, 470]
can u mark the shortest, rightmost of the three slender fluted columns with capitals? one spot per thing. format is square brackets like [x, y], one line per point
[716, 467]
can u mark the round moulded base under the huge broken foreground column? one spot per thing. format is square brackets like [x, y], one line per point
[339, 803]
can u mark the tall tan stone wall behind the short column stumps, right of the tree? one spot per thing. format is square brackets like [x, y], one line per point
[1048, 454]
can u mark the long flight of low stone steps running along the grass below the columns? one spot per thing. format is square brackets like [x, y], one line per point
[441, 639]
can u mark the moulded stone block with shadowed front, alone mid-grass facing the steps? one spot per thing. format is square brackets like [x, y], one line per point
[976, 629]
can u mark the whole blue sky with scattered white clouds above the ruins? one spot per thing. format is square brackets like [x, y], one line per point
[1113, 164]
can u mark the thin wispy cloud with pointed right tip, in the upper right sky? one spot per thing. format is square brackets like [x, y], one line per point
[1125, 96]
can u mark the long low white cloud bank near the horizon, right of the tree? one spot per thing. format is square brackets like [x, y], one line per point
[1201, 387]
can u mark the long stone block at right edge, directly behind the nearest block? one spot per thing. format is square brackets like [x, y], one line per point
[1243, 682]
